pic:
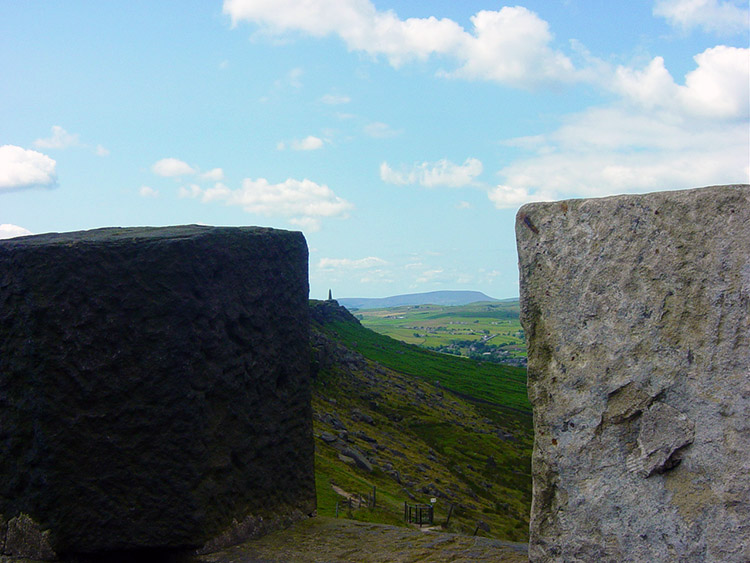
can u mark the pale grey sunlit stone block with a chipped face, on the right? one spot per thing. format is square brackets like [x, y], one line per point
[637, 314]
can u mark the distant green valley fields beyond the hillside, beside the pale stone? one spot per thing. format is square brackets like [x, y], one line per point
[488, 330]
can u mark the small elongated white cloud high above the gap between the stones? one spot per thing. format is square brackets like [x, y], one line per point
[434, 174]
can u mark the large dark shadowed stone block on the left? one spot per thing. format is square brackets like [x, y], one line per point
[154, 387]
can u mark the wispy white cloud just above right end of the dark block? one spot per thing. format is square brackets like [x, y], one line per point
[304, 202]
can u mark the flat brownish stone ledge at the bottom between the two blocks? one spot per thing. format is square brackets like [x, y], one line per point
[331, 540]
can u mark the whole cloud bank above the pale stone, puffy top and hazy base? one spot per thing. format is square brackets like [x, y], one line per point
[661, 135]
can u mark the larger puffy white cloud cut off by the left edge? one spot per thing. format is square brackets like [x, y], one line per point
[23, 168]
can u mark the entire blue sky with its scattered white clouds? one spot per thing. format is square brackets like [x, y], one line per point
[400, 136]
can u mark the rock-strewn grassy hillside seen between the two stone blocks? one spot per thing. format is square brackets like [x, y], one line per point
[466, 442]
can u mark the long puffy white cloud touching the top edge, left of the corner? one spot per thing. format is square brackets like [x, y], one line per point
[510, 46]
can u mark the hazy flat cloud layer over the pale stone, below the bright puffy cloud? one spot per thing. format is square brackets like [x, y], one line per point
[605, 151]
